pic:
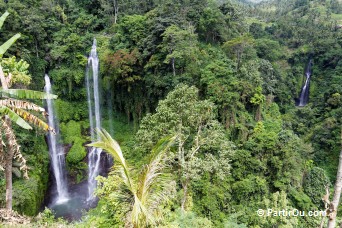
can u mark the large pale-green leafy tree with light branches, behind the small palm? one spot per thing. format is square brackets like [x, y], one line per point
[202, 144]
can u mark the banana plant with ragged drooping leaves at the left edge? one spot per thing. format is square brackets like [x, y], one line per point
[13, 108]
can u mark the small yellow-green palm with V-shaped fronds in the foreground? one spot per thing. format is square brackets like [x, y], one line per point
[139, 198]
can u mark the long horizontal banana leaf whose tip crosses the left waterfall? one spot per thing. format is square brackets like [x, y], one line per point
[27, 94]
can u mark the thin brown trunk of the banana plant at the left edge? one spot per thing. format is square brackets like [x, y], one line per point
[8, 161]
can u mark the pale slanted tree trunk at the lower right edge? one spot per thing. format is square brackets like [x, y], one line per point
[337, 193]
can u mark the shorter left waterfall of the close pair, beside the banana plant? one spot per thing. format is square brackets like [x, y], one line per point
[56, 150]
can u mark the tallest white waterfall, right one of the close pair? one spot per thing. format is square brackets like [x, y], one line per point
[92, 83]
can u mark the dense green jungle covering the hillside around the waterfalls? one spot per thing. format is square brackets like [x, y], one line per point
[222, 75]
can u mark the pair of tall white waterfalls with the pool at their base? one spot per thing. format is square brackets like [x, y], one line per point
[59, 193]
